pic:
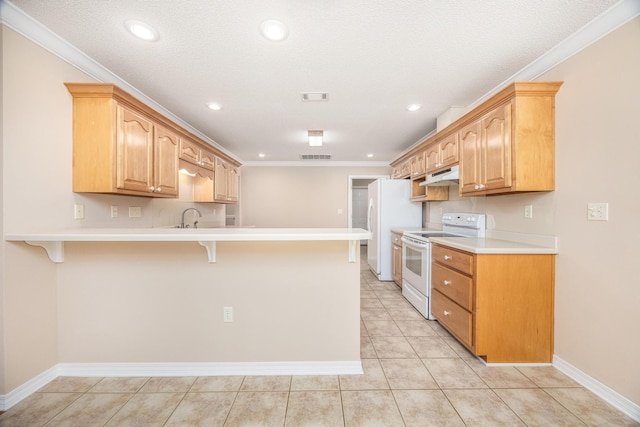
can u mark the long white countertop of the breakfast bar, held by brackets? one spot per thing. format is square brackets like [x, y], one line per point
[170, 234]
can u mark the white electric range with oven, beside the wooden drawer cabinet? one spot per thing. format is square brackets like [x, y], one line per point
[416, 256]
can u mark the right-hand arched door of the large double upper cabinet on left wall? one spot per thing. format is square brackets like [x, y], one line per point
[166, 145]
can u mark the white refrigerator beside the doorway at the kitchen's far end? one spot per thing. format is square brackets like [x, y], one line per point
[389, 207]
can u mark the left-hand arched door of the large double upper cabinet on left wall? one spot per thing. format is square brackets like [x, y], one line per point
[134, 151]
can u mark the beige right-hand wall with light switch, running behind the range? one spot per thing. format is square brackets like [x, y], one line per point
[597, 270]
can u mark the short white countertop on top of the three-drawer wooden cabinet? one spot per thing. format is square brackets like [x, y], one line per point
[492, 246]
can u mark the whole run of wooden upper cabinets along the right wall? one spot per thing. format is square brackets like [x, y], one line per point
[505, 145]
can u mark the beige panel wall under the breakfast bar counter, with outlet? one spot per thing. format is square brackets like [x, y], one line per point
[164, 303]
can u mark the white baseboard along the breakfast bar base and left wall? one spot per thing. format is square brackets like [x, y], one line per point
[176, 370]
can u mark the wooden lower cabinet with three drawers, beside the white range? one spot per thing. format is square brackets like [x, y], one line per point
[499, 306]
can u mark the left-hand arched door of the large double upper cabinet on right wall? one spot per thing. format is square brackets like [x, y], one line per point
[470, 144]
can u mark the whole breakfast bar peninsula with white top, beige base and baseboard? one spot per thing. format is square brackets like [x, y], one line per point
[167, 301]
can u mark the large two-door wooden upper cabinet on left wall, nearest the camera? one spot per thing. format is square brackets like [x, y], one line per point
[119, 149]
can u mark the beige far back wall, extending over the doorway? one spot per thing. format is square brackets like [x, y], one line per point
[298, 196]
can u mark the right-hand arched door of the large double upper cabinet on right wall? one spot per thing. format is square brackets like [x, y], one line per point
[496, 144]
